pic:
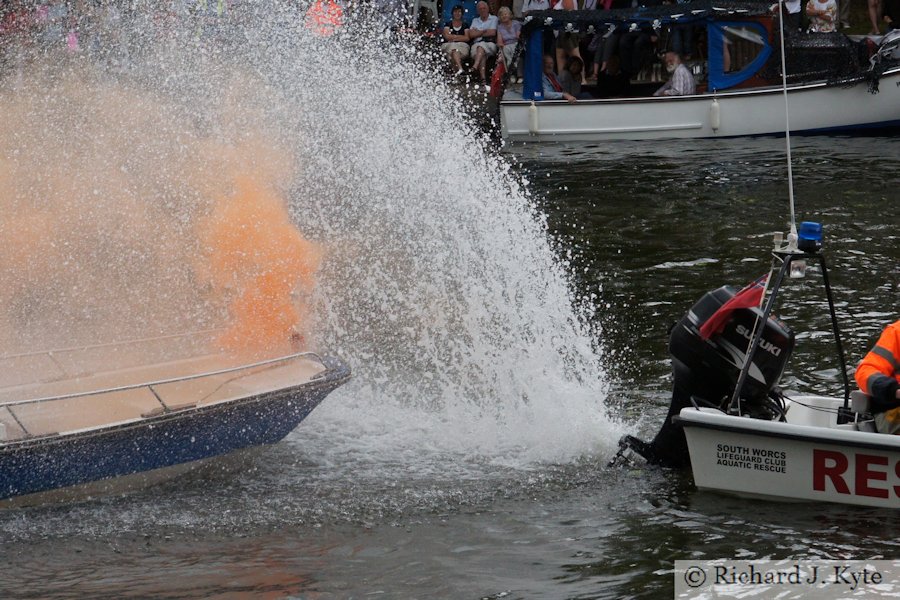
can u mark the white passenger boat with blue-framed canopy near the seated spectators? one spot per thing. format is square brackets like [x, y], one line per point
[835, 84]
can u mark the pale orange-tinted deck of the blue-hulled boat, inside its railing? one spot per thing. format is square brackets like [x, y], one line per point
[68, 403]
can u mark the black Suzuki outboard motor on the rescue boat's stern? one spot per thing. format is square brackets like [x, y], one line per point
[706, 371]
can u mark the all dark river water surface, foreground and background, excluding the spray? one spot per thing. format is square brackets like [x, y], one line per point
[648, 229]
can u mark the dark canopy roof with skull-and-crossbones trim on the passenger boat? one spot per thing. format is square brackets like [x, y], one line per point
[697, 10]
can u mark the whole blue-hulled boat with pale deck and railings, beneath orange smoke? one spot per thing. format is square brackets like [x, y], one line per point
[79, 422]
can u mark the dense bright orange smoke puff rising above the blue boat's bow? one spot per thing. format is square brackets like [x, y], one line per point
[255, 257]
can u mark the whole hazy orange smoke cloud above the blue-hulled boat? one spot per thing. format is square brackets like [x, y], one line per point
[123, 217]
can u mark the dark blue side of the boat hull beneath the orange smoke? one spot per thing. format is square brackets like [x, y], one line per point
[177, 438]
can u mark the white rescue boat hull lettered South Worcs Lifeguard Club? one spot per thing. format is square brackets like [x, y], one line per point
[809, 458]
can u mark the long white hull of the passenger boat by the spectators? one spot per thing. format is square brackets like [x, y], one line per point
[814, 108]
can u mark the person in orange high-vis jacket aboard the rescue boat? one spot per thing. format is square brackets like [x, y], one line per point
[878, 375]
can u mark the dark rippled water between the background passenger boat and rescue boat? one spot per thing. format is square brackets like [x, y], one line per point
[654, 227]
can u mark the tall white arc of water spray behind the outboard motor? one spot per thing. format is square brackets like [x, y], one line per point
[437, 283]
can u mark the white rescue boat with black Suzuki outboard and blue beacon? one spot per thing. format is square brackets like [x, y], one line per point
[738, 432]
